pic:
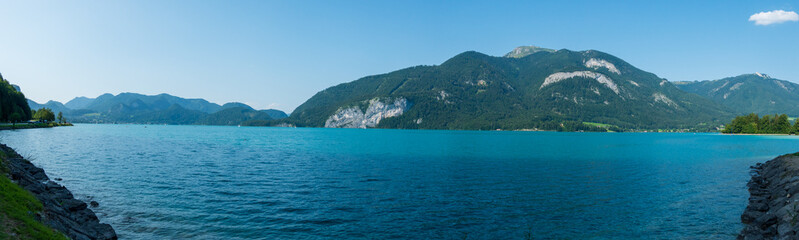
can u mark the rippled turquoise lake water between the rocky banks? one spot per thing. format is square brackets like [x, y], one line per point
[206, 182]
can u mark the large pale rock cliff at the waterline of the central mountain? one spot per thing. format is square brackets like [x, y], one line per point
[353, 117]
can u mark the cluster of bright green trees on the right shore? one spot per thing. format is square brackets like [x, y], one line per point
[752, 124]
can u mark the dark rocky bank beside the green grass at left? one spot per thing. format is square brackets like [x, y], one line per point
[62, 211]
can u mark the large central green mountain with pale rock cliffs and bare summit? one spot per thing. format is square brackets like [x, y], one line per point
[529, 88]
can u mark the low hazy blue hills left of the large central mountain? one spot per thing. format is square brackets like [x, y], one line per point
[155, 109]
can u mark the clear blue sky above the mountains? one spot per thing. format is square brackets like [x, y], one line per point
[278, 54]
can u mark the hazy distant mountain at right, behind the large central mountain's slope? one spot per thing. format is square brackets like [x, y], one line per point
[749, 93]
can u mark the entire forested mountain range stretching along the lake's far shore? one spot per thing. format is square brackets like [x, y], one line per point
[529, 88]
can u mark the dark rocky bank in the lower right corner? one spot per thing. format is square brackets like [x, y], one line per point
[773, 210]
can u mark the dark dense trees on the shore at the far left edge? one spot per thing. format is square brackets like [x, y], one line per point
[13, 104]
